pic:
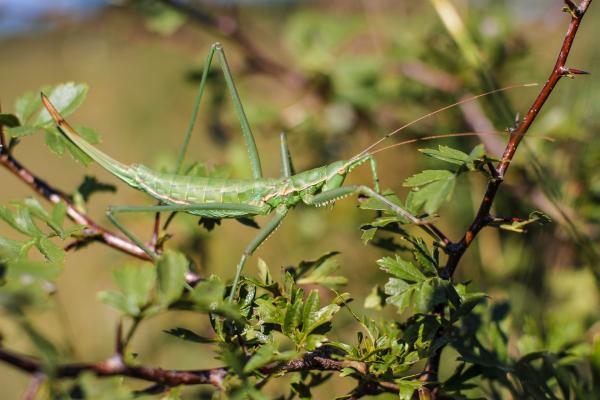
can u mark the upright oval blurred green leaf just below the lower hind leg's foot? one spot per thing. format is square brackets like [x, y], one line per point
[171, 269]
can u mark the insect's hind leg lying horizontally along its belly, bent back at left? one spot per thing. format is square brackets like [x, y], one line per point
[234, 207]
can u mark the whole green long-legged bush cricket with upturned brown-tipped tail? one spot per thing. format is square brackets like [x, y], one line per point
[236, 198]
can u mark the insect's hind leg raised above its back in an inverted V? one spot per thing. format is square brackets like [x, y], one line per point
[237, 104]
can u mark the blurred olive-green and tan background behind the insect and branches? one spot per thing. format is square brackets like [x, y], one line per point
[334, 75]
